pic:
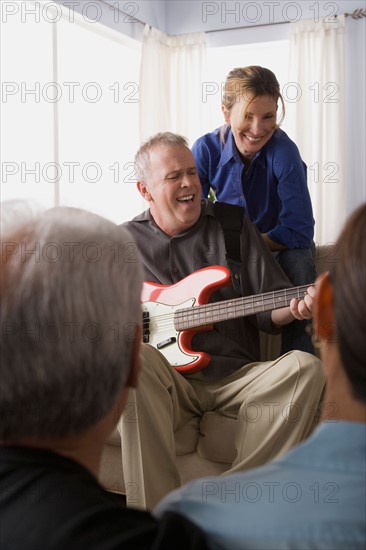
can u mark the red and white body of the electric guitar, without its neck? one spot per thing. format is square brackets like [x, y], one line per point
[159, 305]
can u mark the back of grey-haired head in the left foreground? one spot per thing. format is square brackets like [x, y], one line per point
[70, 303]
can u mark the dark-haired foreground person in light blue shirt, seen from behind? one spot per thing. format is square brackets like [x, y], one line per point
[314, 496]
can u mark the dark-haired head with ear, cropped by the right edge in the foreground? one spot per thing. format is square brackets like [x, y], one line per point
[340, 312]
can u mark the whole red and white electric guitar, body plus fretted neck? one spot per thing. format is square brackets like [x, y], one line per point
[173, 314]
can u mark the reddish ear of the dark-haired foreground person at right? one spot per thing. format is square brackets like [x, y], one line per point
[324, 309]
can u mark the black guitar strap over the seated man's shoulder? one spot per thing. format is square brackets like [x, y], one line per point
[230, 217]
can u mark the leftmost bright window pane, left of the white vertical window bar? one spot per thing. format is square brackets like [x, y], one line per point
[27, 117]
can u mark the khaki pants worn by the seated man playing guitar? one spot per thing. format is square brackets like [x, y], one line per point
[274, 406]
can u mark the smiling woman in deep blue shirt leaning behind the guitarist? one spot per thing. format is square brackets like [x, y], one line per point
[251, 162]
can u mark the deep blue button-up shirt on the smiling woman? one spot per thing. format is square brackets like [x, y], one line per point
[273, 190]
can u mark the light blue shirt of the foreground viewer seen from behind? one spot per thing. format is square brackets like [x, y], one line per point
[313, 497]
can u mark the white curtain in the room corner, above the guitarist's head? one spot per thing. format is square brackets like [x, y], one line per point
[172, 70]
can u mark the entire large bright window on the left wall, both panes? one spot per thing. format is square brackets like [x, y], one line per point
[70, 114]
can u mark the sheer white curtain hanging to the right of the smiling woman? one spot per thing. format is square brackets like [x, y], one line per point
[316, 104]
